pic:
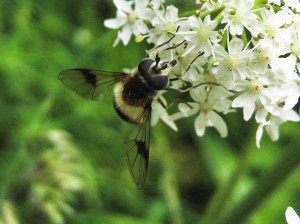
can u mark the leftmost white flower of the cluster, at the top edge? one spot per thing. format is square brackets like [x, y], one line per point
[131, 21]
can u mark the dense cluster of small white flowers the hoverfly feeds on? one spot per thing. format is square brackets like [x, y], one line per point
[249, 48]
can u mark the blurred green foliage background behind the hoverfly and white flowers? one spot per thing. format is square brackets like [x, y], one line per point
[62, 158]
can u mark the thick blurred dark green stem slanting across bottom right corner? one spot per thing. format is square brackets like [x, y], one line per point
[267, 184]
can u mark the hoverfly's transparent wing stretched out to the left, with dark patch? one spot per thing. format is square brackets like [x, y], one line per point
[90, 83]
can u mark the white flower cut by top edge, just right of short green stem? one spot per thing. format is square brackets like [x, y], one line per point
[239, 14]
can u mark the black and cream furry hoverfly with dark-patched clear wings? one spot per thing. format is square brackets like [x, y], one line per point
[134, 93]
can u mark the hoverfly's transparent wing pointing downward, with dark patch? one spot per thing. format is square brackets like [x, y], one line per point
[138, 152]
